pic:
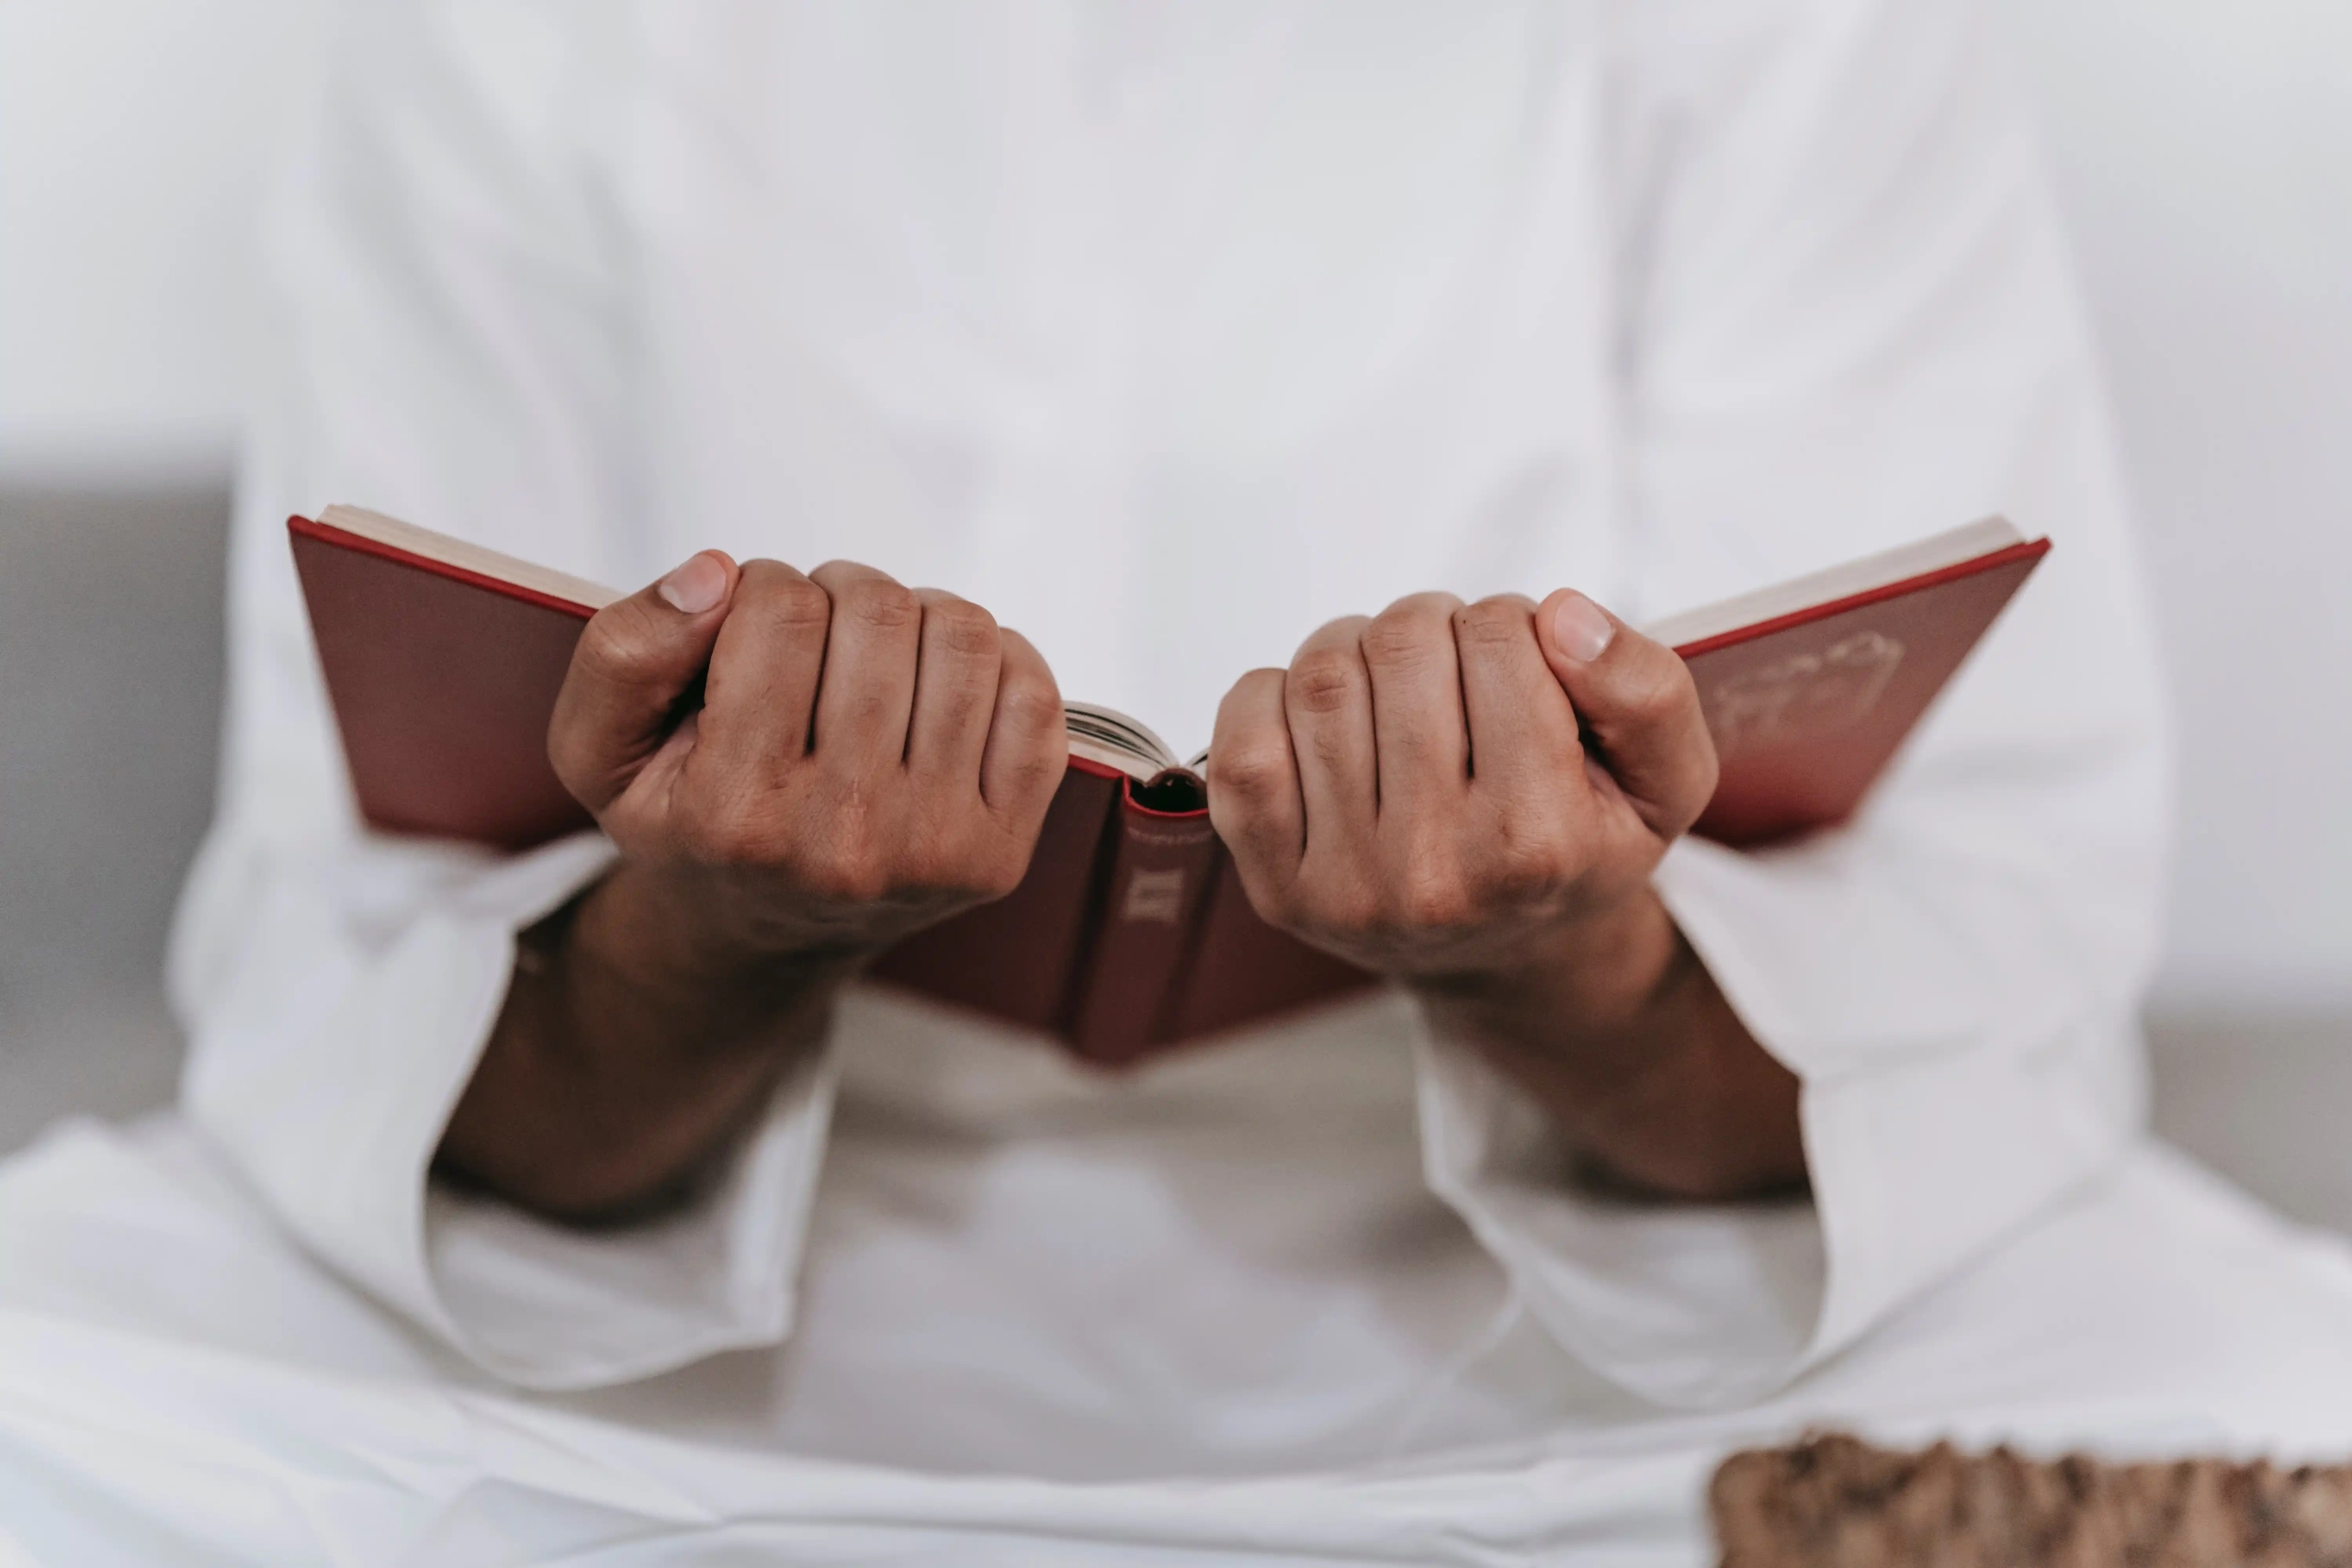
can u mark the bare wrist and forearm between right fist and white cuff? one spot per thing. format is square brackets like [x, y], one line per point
[1626, 1040]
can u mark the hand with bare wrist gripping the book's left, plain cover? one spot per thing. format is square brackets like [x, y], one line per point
[799, 770]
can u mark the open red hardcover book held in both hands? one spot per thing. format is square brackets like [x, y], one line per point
[1130, 930]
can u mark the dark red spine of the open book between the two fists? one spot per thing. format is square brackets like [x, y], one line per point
[1151, 909]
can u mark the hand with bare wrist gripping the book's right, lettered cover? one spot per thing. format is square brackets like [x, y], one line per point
[1474, 800]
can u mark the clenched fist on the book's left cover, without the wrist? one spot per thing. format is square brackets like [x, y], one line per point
[867, 758]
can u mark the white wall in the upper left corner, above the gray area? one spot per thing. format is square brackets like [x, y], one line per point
[135, 140]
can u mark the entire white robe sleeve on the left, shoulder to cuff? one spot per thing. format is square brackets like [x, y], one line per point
[450, 351]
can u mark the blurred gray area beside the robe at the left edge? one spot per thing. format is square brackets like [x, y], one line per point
[109, 721]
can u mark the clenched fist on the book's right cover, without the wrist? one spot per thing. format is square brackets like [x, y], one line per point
[1455, 791]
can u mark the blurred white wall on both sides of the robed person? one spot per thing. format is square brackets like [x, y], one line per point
[2205, 154]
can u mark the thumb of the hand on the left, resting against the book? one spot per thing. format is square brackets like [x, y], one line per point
[629, 674]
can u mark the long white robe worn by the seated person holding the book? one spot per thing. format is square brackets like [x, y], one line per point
[1168, 333]
